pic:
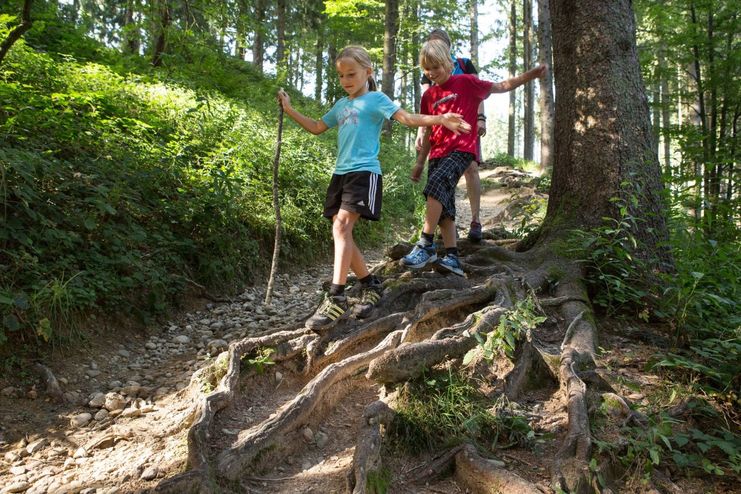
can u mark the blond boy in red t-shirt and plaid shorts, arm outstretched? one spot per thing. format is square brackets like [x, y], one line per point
[449, 154]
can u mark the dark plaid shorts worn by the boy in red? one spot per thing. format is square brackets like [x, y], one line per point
[443, 176]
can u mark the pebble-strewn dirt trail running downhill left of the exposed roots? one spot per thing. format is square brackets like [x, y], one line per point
[123, 424]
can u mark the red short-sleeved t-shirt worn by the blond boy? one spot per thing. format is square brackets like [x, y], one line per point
[460, 94]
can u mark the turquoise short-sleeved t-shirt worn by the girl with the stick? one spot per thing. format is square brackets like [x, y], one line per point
[358, 139]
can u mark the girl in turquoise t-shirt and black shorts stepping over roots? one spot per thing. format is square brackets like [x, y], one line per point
[355, 190]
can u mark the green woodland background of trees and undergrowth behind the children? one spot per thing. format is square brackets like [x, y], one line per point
[136, 146]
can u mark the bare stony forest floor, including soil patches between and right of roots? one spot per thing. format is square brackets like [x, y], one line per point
[129, 396]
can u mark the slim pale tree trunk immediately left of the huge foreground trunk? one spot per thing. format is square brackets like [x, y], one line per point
[547, 108]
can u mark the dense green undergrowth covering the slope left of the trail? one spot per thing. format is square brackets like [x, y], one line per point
[122, 185]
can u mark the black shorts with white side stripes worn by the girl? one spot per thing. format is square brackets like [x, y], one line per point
[358, 192]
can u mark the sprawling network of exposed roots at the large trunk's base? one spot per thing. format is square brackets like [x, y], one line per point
[424, 320]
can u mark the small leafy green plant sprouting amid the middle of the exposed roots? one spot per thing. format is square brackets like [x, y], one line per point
[513, 325]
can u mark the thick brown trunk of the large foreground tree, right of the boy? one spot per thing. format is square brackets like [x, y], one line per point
[603, 130]
